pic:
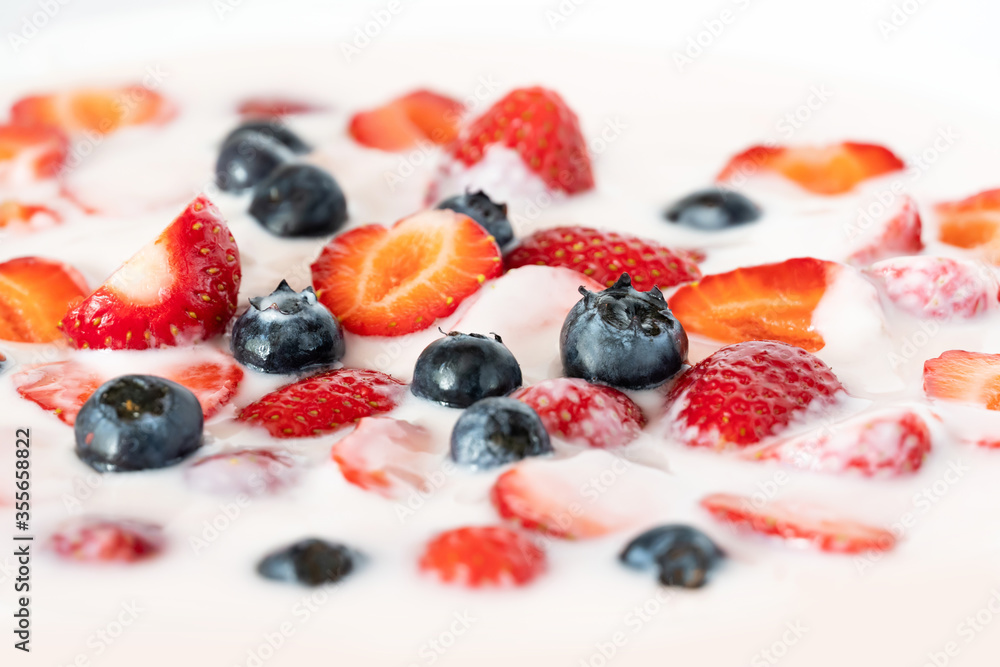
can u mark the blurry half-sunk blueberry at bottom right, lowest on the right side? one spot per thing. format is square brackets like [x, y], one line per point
[683, 555]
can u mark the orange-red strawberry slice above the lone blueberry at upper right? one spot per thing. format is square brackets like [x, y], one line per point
[826, 170]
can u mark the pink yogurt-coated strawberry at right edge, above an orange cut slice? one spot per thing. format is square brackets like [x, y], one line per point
[938, 288]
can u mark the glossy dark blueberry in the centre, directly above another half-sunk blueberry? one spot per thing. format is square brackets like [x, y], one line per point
[460, 369]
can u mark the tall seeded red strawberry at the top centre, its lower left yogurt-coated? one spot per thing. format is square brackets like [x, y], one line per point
[544, 131]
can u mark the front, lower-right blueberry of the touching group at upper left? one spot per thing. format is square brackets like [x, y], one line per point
[299, 200]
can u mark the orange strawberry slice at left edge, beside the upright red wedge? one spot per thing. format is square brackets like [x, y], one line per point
[34, 295]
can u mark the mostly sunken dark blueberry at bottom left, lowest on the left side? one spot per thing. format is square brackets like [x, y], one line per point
[311, 562]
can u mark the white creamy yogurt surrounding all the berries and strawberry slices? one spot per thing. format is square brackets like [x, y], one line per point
[655, 136]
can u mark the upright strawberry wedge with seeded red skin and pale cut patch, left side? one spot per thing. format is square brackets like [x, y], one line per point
[177, 290]
